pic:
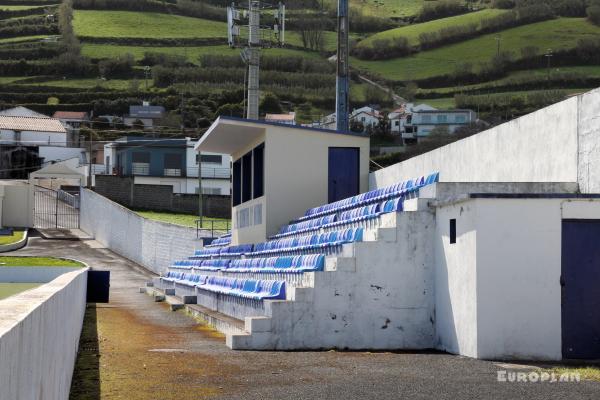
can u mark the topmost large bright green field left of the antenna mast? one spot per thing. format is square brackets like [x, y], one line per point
[96, 23]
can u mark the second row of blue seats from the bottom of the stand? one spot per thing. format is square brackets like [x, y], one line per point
[292, 264]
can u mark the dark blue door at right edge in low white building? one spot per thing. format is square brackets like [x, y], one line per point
[580, 281]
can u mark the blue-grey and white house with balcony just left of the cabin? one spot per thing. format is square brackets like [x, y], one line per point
[155, 161]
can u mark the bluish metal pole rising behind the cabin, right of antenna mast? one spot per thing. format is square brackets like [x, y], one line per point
[342, 106]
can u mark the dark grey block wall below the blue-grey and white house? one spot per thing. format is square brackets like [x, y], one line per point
[160, 197]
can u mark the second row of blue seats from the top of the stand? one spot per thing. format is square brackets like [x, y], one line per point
[349, 217]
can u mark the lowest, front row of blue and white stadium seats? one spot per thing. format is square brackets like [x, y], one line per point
[247, 288]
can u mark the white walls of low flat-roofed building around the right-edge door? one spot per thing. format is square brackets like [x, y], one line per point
[498, 293]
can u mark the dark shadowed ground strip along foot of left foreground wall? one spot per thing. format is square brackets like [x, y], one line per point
[86, 376]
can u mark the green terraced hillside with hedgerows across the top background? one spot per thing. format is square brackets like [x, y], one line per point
[104, 56]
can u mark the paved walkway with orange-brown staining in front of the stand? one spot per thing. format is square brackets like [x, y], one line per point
[134, 348]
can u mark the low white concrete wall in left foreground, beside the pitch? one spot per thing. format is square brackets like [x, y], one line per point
[39, 337]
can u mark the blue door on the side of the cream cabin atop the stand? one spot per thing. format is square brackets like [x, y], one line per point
[343, 172]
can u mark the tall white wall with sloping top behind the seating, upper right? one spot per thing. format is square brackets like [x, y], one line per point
[539, 147]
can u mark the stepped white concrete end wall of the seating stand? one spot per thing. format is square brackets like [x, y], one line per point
[377, 294]
